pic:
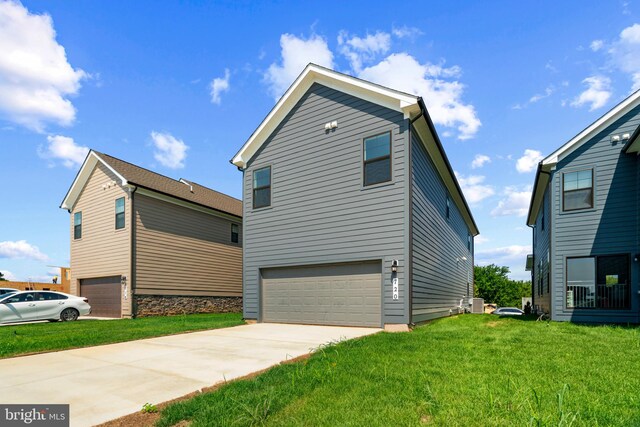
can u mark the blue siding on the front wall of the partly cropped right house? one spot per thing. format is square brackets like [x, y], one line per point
[610, 228]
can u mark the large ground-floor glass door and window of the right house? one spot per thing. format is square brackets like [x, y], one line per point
[598, 282]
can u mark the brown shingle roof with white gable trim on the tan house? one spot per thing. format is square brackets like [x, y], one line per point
[129, 174]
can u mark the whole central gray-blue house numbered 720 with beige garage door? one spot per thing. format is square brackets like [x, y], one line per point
[353, 215]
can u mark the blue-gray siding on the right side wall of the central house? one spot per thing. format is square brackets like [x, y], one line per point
[439, 280]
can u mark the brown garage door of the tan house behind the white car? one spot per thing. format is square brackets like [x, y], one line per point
[103, 294]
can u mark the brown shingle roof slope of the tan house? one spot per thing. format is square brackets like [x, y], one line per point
[189, 191]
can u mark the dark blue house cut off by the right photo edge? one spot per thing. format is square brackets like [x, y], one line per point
[585, 215]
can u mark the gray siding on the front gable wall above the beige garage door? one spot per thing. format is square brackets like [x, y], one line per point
[320, 213]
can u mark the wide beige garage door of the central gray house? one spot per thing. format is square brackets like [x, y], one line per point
[337, 294]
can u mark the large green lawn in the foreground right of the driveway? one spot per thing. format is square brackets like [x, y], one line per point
[471, 370]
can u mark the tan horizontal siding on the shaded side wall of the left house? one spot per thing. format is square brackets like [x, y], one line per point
[181, 251]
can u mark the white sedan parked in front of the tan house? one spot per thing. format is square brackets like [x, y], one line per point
[26, 306]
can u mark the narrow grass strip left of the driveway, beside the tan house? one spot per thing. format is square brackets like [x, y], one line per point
[40, 337]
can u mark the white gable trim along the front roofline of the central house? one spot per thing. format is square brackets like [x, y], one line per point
[397, 101]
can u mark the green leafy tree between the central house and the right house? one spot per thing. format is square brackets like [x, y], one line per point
[492, 284]
